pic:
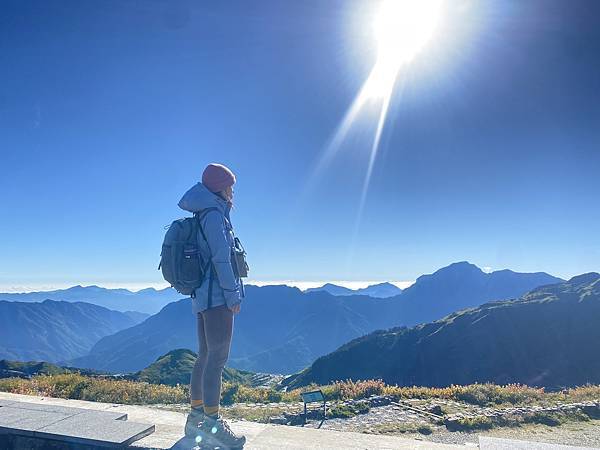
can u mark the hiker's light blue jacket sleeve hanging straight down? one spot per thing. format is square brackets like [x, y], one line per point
[220, 251]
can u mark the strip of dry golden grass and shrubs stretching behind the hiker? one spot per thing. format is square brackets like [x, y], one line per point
[100, 389]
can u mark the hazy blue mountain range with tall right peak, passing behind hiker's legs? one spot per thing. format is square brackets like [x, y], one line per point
[282, 330]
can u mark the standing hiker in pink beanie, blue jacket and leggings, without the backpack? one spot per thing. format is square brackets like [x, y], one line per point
[214, 303]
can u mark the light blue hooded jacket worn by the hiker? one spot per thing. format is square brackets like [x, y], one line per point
[226, 287]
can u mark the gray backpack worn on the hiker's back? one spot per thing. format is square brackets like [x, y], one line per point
[181, 262]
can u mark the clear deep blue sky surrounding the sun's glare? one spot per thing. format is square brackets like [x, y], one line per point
[109, 111]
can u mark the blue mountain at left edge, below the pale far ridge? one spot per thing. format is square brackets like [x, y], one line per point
[53, 331]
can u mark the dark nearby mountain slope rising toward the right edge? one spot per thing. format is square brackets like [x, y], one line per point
[549, 337]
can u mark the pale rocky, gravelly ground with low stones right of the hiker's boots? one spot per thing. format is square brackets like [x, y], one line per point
[433, 420]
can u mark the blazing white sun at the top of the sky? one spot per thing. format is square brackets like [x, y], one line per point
[402, 28]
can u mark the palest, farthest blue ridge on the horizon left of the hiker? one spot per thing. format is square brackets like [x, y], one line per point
[148, 301]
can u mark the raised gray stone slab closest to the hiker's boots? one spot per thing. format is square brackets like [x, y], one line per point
[89, 428]
